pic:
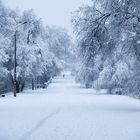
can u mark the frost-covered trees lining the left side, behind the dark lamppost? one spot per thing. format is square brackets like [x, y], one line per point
[41, 50]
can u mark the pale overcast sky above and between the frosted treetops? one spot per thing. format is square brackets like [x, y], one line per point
[53, 12]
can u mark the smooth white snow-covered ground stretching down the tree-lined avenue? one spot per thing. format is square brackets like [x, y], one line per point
[65, 111]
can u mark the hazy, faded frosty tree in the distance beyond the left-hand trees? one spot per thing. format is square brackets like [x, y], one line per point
[60, 44]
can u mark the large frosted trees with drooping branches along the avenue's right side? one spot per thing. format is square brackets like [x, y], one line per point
[108, 36]
